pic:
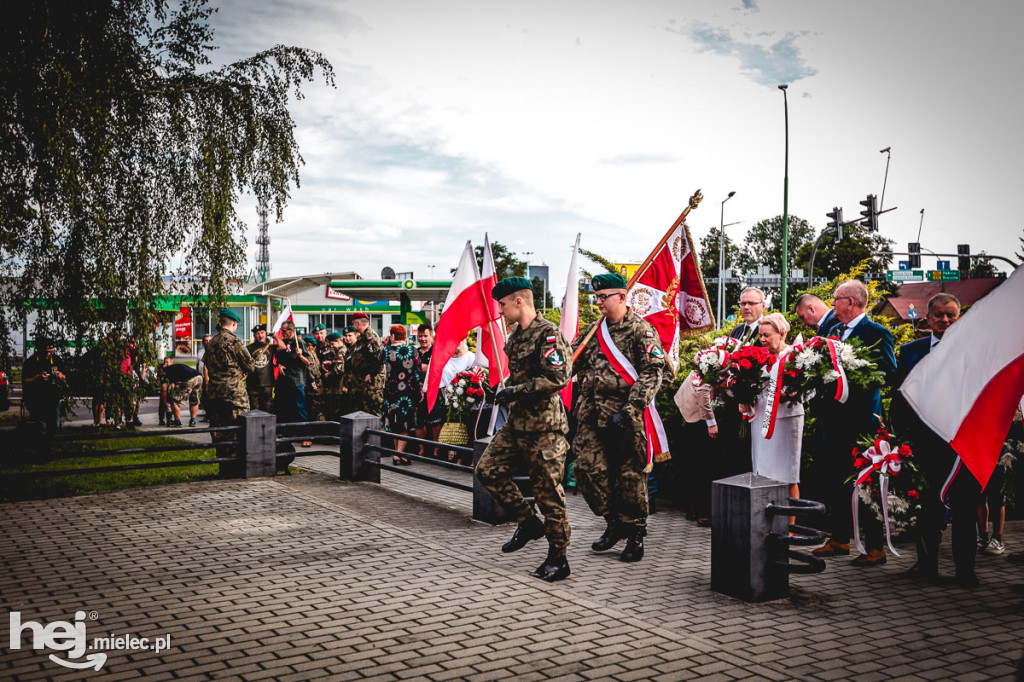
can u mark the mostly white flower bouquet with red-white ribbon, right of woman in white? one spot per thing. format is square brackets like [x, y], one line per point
[828, 366]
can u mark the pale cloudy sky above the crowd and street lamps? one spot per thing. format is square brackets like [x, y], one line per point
[534, 121]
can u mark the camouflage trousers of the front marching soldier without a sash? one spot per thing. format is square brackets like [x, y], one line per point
[542, 455]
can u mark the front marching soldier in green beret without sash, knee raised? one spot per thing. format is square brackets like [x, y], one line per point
[534, 437]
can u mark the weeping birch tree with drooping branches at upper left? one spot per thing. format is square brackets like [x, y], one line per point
[123, 147]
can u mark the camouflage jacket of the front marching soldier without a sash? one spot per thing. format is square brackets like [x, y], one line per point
[540, 366]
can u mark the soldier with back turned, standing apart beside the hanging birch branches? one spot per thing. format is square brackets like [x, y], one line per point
[228, 363]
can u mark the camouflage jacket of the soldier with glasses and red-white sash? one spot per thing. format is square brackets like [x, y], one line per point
[603, 392]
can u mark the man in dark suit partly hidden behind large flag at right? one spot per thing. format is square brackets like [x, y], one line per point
[934, 458]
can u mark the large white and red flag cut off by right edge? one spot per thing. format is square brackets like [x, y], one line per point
[969, 388]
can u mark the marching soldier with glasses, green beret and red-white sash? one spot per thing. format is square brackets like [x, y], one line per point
[611, 443]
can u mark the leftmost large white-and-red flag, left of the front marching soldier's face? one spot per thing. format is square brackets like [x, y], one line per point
[465, 309]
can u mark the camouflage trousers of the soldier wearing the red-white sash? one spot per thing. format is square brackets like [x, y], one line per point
[611, 473]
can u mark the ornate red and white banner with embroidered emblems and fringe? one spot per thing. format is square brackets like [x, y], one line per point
[670, 294]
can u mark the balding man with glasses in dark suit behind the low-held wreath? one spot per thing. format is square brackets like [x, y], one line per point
[842, 425]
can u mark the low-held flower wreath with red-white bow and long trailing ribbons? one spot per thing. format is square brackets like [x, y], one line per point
[894, 499]
